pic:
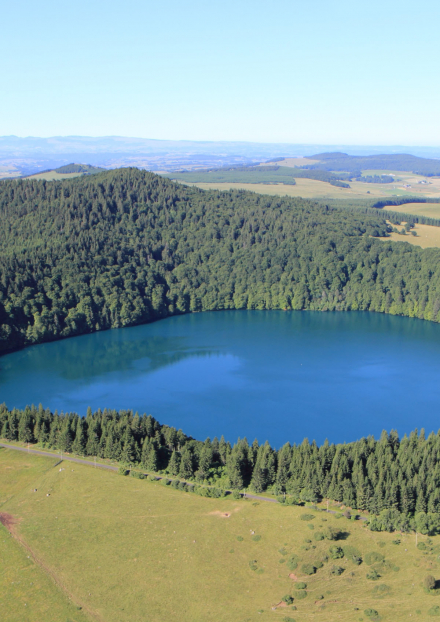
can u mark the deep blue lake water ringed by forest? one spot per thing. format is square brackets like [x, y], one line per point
[270, 375]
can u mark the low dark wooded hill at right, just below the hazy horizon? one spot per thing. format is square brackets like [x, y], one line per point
[336, 161]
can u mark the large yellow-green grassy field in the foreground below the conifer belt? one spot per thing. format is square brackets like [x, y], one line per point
[132, 550]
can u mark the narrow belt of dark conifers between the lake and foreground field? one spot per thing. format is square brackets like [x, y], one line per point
[390, 477]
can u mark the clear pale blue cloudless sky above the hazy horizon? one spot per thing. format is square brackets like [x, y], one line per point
[327, 71]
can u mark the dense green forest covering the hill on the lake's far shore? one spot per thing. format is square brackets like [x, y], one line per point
[126, 247]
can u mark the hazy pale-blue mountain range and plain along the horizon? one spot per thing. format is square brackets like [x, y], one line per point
[24, 156]
